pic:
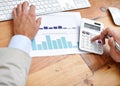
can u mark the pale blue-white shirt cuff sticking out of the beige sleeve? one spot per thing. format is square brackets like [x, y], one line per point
[21, 42]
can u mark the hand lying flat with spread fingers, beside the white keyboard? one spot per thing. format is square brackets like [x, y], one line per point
[25, 22]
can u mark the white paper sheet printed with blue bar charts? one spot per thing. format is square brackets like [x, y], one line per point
[57, 35]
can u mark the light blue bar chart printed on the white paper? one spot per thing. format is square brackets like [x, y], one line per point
[49, 44]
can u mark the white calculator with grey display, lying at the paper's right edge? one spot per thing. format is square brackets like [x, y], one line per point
[88, 29]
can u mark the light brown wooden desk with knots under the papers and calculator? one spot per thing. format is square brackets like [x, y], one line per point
[72, 70]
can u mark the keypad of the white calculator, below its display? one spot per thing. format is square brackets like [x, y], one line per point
[86, 44]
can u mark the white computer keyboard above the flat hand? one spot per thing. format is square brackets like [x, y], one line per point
[42, 6]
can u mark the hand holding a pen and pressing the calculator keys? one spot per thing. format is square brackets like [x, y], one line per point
[114, 33]
